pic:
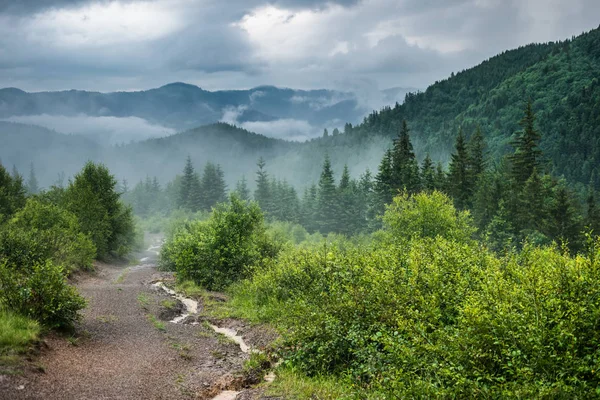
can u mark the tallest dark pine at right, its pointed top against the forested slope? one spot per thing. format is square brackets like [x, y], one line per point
[527, 154]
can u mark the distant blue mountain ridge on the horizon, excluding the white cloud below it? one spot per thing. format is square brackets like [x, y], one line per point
[182, 106]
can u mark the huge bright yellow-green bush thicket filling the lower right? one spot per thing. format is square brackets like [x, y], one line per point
[435, 315]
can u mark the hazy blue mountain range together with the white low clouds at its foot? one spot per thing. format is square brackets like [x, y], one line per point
[121, 117]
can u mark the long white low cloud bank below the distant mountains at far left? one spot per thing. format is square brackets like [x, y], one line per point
[107, 130]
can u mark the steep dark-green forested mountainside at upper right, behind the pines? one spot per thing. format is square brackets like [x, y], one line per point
[561, 80]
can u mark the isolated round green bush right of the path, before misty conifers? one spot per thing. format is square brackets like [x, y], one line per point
[218, 252]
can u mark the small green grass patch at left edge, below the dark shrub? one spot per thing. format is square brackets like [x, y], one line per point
[17, 334]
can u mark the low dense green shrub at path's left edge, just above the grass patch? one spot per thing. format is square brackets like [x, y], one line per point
[39, 291]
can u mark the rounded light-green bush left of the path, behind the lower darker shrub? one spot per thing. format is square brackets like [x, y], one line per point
[56, 234]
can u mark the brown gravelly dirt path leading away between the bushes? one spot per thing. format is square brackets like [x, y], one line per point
[124, 351]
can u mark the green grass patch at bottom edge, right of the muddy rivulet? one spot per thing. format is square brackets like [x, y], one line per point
[293, 385]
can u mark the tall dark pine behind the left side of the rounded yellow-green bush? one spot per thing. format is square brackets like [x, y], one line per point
[405, 168]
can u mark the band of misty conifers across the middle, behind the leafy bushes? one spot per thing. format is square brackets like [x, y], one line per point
[511, 200]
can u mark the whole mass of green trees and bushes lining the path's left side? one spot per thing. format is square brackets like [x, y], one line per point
[45, 237]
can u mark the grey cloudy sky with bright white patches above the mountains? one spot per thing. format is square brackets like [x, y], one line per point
[340, 44]
